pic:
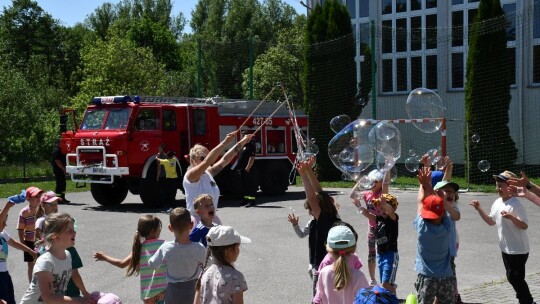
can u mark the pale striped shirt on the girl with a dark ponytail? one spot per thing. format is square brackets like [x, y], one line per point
[153, 282]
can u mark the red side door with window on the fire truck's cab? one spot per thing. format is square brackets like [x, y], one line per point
[145, 137]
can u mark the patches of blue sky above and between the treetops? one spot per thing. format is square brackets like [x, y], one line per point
[69, 12]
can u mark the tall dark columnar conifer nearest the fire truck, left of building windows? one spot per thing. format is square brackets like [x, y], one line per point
[329, 75]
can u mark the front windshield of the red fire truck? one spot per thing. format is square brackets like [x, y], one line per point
[106, 119]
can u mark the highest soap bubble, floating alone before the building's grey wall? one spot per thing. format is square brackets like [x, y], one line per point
[423, 103]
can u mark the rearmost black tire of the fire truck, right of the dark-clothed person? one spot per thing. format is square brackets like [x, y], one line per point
[275, 178]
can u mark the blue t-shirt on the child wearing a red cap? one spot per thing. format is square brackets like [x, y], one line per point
[433, 247]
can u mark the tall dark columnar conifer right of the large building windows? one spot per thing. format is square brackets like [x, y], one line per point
[487, 93]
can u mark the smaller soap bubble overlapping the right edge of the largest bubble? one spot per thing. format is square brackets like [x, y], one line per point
[386, 140]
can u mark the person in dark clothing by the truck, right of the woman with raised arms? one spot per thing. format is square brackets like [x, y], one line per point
[244, 168]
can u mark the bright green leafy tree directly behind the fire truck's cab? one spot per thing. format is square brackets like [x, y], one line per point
[118, 67]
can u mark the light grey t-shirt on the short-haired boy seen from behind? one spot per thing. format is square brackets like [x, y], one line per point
[184, 261]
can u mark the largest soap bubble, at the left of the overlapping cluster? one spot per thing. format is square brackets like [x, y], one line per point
[349, 150]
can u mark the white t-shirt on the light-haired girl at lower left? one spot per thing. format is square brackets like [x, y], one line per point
[61, 273]
